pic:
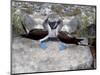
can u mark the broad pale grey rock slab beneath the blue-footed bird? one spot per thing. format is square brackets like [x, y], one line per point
[28, 57]
